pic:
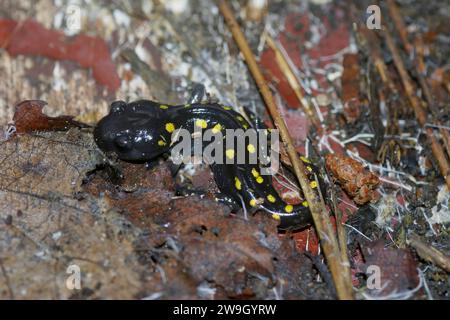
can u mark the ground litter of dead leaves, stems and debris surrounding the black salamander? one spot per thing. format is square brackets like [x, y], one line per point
[375, 102]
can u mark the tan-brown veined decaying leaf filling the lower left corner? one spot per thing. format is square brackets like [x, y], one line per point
[47, 225]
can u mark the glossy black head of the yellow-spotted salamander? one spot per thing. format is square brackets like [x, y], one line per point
[134, 132]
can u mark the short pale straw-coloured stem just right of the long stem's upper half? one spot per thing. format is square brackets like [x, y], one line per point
[293, 82]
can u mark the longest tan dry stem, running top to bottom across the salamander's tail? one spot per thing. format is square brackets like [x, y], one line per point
[340, 270]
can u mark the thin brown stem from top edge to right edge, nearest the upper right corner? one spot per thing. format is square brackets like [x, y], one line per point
[420, 65]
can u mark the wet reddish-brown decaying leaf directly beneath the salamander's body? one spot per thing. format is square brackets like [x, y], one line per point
[198, 241]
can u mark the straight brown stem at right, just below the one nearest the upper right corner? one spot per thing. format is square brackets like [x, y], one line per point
[421, 116]
